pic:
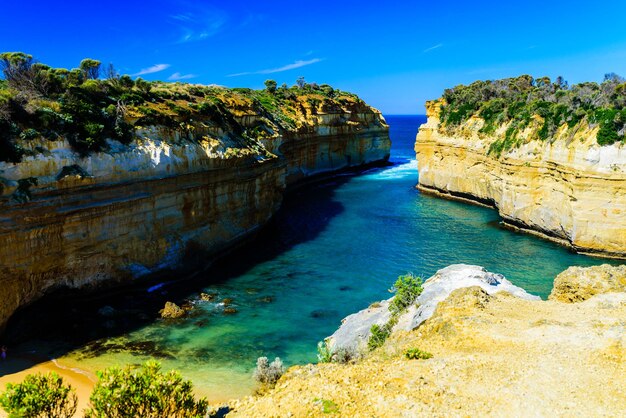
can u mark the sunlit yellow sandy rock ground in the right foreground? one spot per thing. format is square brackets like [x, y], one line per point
[493, 355]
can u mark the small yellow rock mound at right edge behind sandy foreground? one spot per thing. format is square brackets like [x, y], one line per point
[577, 284]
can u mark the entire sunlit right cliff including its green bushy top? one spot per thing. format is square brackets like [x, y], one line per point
[549, 164]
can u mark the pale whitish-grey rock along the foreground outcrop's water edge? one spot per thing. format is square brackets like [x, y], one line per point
[355, 329]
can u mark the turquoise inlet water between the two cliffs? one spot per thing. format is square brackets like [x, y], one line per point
[333, 249]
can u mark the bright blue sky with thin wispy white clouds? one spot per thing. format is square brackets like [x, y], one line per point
[394, 54]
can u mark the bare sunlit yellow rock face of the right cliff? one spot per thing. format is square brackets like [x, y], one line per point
[568, 189]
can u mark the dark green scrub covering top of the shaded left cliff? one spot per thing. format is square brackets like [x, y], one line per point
[90, 104]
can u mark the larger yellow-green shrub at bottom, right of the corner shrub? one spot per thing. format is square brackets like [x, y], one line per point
[143, 391]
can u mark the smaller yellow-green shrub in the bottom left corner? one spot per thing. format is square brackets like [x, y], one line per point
[44, 396]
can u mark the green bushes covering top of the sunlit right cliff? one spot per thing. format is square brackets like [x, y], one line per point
[518, 101]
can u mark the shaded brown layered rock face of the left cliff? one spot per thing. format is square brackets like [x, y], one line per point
[167, 199]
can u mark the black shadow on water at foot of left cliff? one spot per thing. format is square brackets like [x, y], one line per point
[67, 320]
